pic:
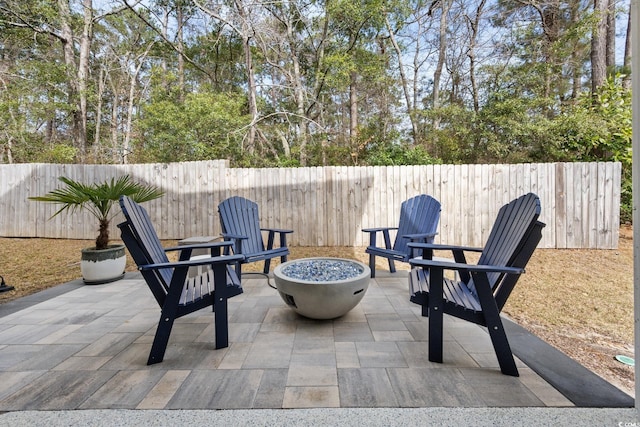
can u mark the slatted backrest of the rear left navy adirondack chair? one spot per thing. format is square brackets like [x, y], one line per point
[239, 216]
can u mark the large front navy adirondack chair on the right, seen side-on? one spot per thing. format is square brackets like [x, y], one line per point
[480, 291]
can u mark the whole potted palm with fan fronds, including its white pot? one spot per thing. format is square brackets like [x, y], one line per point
[102, 263]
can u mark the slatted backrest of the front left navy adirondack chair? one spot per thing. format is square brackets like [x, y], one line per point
[150, 250]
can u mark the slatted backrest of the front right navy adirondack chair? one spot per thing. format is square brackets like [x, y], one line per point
[513, 224]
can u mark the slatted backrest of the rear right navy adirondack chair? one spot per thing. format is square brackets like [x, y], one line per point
[420, 214]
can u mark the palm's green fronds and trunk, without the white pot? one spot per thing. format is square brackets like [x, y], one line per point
[98, 199]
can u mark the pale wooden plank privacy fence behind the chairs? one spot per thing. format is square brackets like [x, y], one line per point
[328, 206]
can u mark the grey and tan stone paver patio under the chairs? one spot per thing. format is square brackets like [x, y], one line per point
[79, 347]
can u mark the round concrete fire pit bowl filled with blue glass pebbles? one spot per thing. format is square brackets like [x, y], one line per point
[322, 288]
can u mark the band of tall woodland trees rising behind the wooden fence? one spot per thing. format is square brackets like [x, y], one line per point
[295, 83]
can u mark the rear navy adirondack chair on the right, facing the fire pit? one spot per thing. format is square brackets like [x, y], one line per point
[419, 218]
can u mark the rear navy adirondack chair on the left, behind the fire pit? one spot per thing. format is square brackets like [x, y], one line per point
[241, 226]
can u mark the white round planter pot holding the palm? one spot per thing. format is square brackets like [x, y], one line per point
[104, 265]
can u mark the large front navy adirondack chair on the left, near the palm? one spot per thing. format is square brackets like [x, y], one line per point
[176, 293]
